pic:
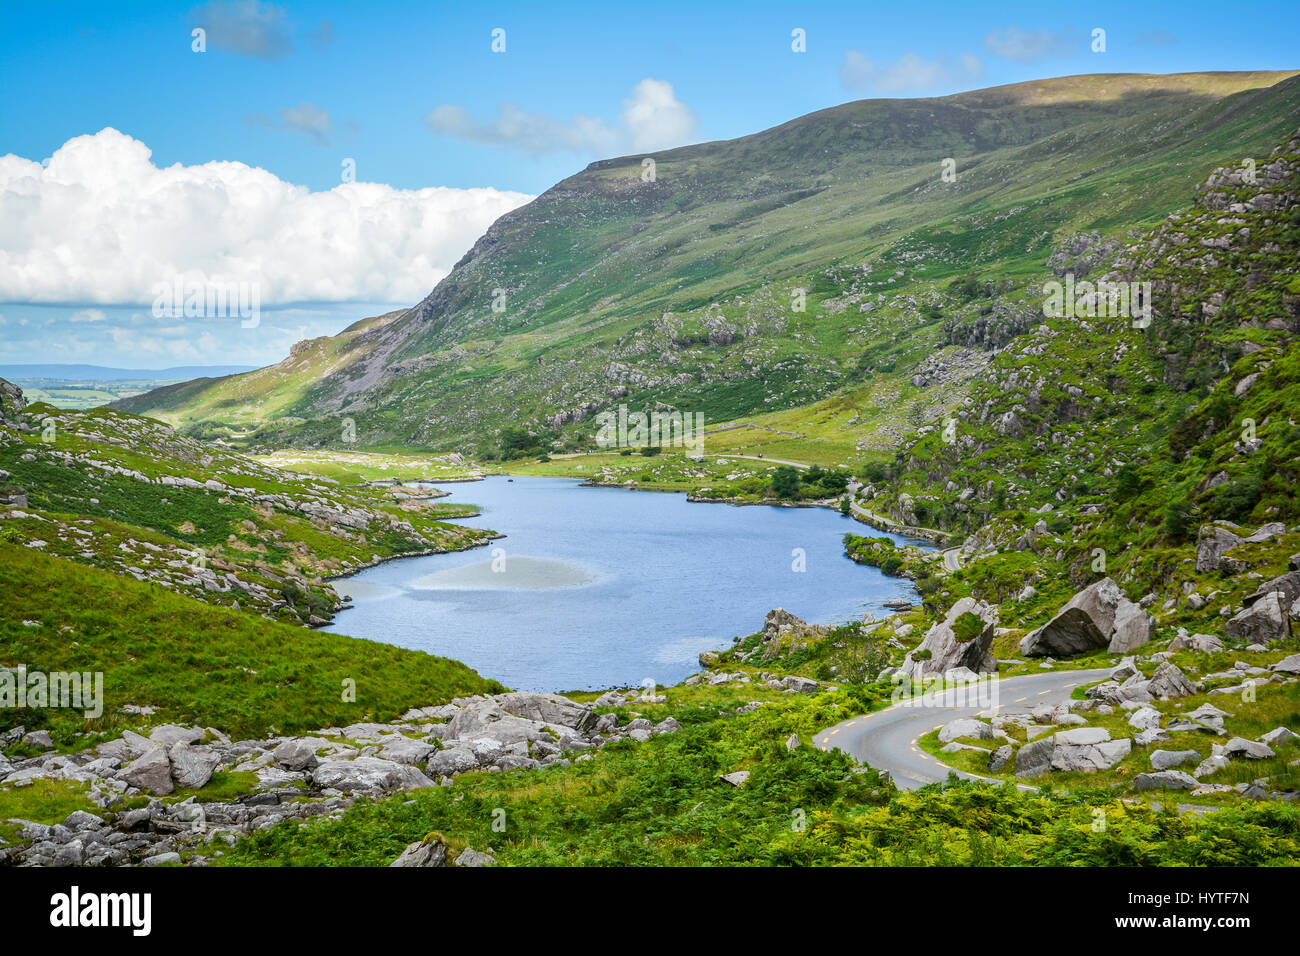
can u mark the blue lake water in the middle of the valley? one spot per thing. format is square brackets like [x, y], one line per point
[606, 587]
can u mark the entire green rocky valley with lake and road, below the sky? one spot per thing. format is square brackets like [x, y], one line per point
[1111, 512]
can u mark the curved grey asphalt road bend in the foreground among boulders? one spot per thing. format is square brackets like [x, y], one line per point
[887, 739]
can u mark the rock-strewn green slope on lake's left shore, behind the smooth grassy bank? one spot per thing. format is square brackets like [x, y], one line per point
[129, 495]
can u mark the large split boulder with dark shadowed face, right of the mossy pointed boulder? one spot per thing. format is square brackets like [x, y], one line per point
[1098, 617]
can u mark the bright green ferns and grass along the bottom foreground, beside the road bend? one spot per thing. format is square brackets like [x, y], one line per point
[662, 803]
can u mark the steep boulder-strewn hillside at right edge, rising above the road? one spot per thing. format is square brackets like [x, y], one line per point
[1089, 434]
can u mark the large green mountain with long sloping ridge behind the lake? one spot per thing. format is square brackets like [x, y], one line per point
[684, 288]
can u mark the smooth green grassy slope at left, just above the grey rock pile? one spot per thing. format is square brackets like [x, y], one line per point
[197, 664]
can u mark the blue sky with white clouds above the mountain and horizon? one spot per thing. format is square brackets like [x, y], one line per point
[318, 163]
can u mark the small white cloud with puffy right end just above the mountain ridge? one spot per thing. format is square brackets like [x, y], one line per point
[652, 119]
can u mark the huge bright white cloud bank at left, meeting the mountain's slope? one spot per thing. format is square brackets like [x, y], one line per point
[101, 224]
